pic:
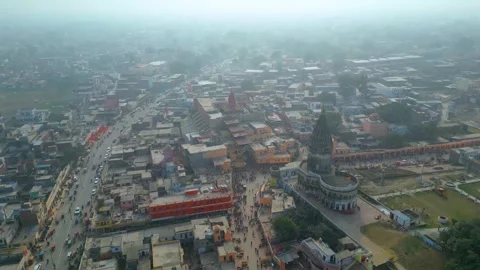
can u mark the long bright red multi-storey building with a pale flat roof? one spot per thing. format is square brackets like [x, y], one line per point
[189, 204]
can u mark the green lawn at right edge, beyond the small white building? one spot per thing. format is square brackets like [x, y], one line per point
[451, 205]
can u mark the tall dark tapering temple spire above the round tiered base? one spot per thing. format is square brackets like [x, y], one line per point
[319, 158]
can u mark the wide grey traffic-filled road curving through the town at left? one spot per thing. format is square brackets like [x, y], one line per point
[67, 227]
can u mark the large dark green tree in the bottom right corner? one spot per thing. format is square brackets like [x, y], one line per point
[461, 244]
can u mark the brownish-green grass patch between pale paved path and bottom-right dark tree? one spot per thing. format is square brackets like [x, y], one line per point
[404, 248]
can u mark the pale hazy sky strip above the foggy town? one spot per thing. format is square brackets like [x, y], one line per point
[230, 8]
